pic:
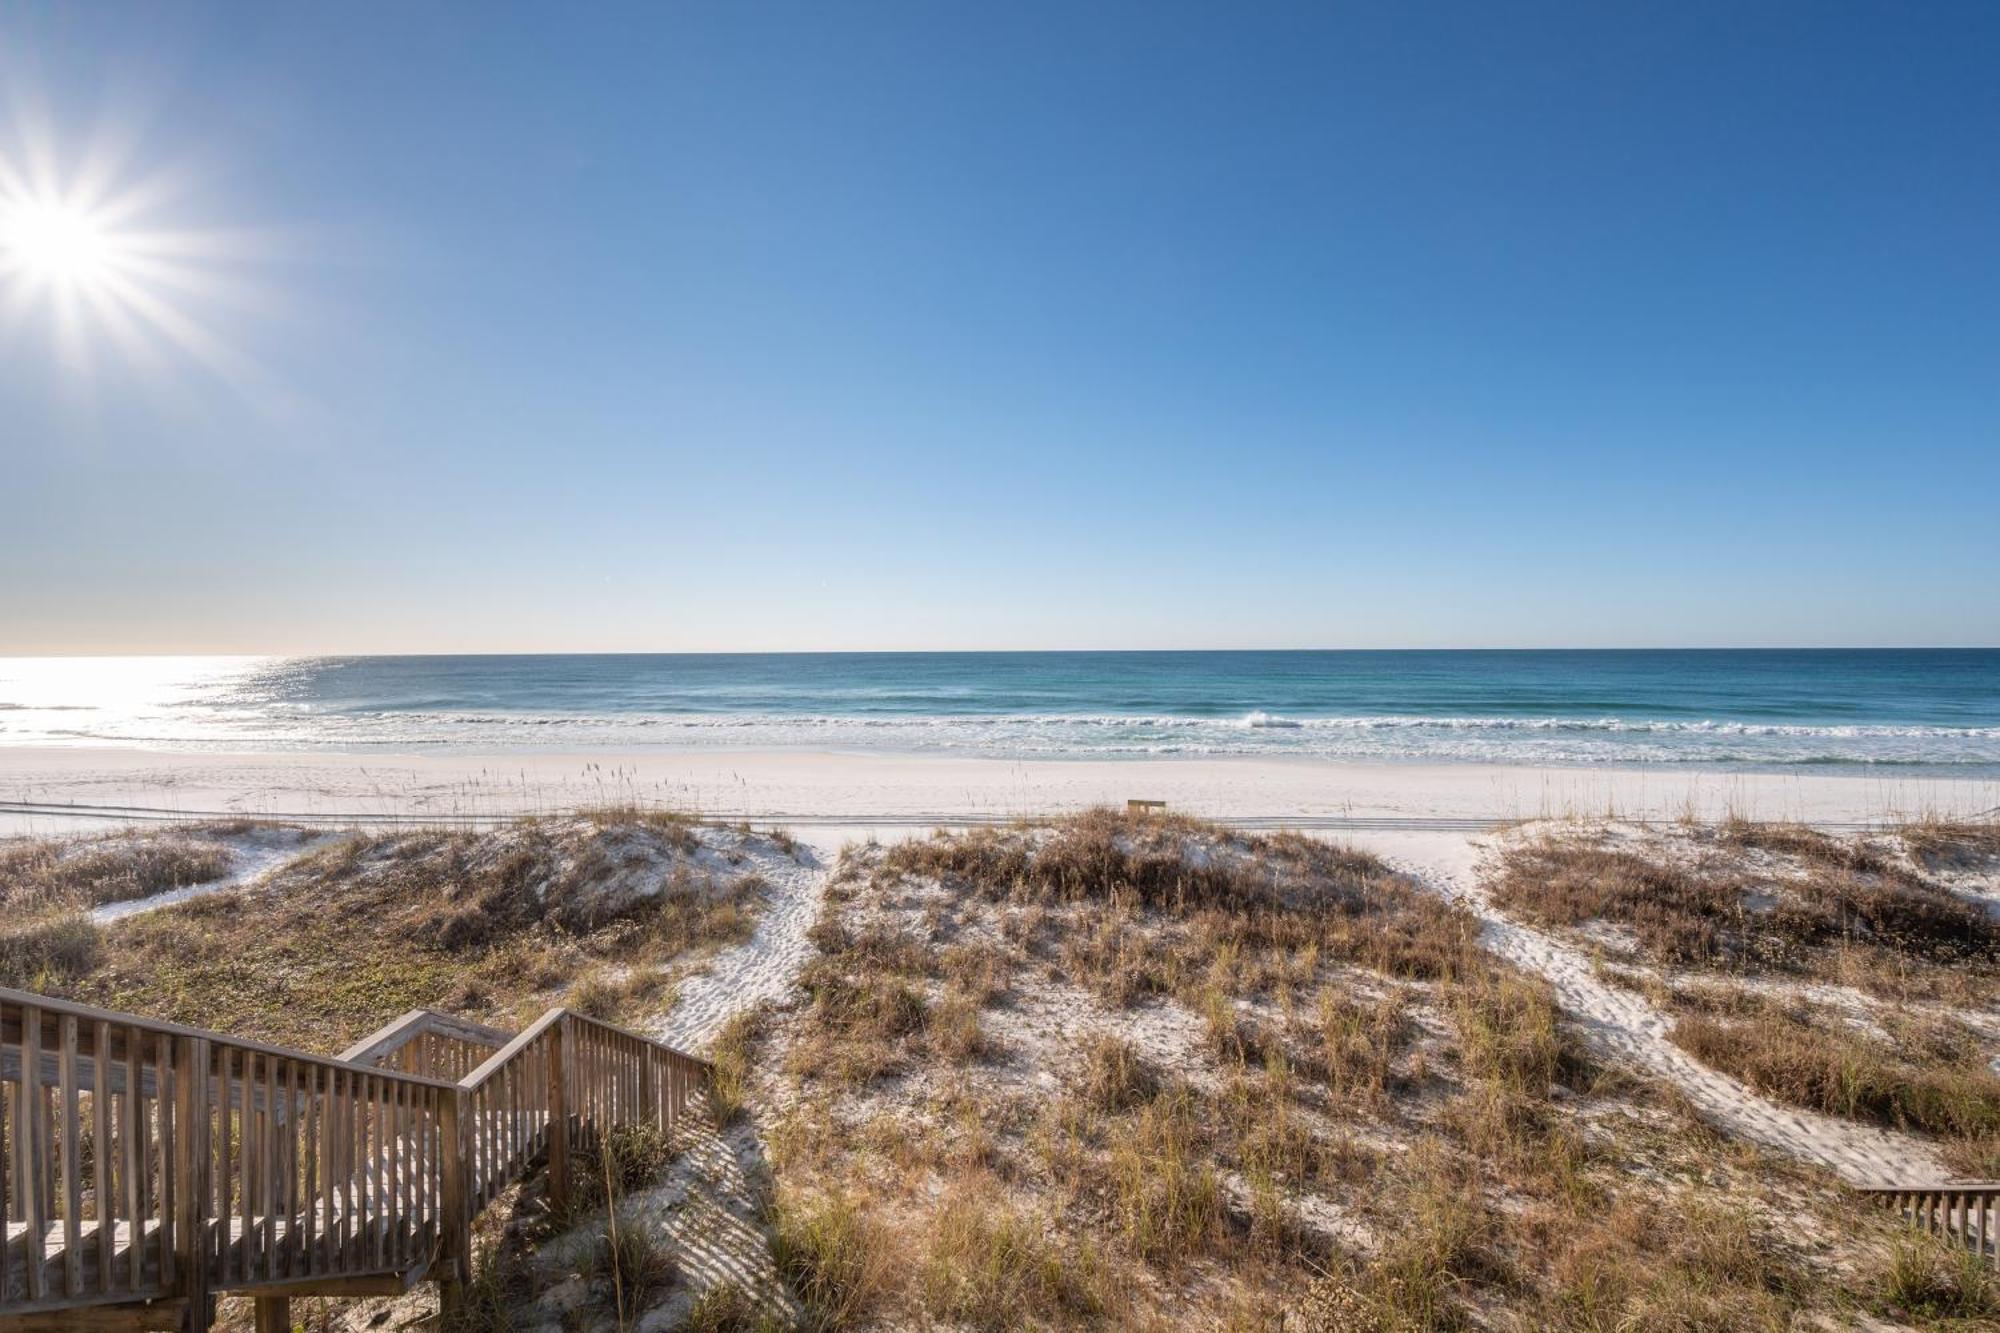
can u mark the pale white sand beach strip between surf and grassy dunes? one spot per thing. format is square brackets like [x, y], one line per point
[63, 786]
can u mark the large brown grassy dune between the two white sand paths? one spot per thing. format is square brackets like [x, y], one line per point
[1355, 1110]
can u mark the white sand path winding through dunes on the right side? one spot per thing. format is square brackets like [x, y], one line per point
[1629, 1026]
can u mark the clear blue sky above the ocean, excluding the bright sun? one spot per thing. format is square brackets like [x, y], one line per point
[1017, 325]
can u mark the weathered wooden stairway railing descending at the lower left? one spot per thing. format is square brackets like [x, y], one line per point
[147, 1164]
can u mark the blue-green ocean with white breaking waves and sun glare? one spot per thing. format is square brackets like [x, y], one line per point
[1917, 710]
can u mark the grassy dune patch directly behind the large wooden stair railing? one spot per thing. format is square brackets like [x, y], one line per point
[493, 926]
